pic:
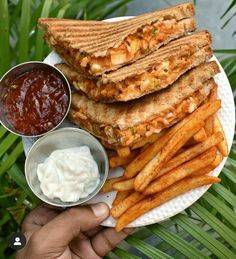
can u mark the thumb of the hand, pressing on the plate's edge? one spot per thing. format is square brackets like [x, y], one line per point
[66, 226]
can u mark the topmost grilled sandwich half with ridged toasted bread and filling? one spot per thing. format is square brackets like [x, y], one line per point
[96, 47]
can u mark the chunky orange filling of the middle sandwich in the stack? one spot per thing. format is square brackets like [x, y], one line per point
[160, 76]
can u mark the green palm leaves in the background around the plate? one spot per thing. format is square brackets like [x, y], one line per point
[205, 230]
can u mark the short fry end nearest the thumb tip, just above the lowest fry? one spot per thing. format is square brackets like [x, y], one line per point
[120, 208]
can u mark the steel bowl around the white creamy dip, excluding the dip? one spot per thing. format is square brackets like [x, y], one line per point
[61, 139]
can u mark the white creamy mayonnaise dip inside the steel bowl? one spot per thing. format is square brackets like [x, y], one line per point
[68, 174]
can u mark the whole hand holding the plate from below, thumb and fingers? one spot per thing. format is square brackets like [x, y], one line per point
[74, 233]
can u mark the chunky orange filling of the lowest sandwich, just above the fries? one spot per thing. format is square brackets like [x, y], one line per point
[116, 136]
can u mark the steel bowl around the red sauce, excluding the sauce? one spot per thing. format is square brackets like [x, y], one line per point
[17, 71]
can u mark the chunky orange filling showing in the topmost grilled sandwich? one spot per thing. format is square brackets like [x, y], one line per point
[141, 42]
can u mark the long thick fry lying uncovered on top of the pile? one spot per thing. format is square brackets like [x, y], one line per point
[148, 173]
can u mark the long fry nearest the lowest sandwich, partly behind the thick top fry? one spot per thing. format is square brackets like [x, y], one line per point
[149, 153]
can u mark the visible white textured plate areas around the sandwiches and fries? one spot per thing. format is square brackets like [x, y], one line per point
[173, 207]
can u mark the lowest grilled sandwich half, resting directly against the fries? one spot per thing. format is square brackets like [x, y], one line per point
[123, 124]
